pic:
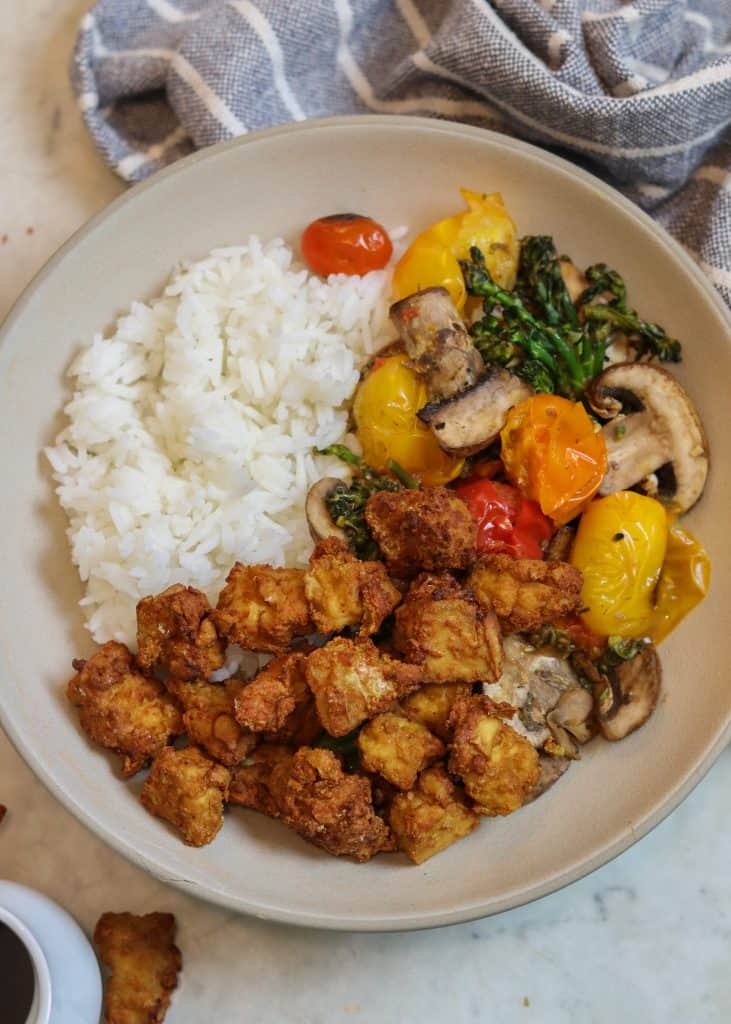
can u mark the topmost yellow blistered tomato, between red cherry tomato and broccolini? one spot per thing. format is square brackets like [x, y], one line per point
[434, 257]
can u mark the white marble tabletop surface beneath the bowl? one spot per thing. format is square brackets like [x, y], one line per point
[646, 938]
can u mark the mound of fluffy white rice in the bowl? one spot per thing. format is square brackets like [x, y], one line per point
[192, 428]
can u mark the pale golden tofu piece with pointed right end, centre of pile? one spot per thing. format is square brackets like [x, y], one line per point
[353, 680]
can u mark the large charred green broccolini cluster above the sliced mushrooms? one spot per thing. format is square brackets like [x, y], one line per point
[537, 333]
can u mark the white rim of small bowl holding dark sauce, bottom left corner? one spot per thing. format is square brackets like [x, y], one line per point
[68, 983]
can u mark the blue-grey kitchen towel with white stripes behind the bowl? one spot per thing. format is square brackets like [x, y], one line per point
[639, 93]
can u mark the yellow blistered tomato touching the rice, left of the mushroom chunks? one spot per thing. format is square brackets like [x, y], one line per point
[389, 429]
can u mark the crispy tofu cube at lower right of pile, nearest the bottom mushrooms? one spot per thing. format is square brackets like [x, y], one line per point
[499, 767]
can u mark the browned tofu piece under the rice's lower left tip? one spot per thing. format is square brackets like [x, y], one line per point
[177, 634]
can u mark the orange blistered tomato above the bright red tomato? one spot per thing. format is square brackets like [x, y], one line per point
[553, 454]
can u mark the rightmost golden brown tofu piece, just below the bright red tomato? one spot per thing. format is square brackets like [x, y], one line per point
[526, 593]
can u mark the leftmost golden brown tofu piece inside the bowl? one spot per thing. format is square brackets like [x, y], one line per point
[121, 709]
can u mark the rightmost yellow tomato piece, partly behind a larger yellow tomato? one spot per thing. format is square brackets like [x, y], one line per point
[683, 584]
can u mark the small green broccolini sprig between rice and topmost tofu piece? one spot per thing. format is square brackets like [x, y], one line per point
[347, 503]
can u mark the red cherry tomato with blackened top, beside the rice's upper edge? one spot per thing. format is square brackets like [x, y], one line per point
[346, 243]
